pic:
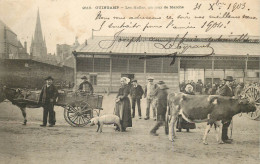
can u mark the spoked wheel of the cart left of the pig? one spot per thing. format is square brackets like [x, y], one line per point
[75, 116]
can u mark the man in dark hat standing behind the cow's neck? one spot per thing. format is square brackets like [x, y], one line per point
[226, 90]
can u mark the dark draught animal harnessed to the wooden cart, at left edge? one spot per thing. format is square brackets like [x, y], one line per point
[15, 96]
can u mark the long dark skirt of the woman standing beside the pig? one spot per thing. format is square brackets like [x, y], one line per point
[123, 111]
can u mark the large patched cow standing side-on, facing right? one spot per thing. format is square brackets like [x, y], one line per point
[203, 108]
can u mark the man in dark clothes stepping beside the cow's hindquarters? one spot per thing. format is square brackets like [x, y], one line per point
[161, 95]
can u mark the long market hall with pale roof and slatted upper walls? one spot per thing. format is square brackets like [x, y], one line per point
[105, 60]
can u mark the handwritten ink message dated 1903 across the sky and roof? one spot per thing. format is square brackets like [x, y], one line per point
[219, 17]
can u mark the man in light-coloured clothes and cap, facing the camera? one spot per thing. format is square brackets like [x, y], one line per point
[149, 95]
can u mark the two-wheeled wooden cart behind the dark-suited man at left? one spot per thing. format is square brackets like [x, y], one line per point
[79, 107]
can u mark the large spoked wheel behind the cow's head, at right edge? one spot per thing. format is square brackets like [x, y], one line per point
[253, 92]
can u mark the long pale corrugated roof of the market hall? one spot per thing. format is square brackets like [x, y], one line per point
[103, 45]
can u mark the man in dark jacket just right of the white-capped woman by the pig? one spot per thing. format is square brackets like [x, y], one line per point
[136, 93]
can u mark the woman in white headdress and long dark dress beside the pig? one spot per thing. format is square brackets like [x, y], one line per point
[123, 107]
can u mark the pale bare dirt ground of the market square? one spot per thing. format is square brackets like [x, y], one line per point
[65, 144]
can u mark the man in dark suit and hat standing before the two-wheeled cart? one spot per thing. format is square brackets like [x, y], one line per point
[47, 98]
